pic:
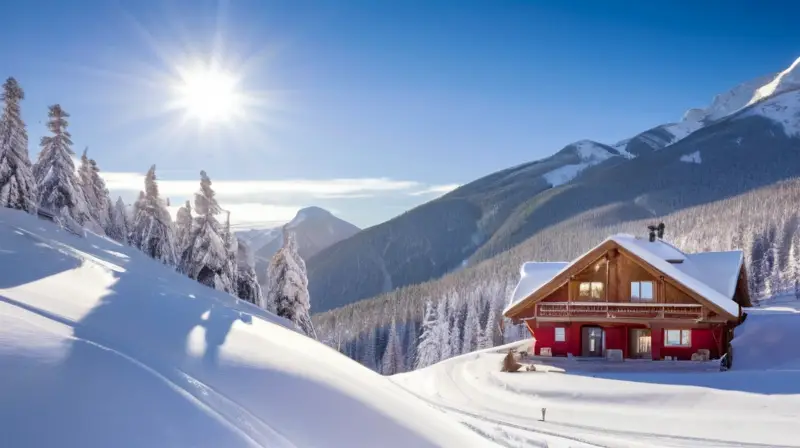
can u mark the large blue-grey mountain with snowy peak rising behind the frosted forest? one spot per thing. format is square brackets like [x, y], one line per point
[645, 175]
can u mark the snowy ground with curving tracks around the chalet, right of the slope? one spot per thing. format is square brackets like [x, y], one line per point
[633, 404]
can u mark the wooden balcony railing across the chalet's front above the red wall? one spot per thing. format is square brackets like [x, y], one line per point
[612, 310]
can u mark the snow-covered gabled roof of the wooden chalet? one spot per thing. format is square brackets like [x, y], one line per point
[712, 275]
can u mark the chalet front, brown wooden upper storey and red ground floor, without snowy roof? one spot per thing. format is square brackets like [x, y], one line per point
[612, 299]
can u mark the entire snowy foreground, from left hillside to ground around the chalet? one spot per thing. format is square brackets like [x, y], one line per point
[101, 346]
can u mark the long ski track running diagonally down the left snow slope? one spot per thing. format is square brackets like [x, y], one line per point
[221, 408]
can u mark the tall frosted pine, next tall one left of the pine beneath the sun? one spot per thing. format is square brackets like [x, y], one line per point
[152, 230]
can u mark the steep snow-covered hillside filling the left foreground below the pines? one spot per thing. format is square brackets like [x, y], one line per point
[101, 346]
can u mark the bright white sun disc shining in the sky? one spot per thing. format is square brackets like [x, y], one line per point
[209, 95]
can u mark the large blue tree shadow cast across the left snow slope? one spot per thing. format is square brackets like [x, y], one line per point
[120, 382]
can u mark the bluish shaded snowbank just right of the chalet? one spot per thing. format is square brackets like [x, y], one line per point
[767, 340]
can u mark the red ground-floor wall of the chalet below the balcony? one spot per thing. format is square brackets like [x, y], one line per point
[617, 338]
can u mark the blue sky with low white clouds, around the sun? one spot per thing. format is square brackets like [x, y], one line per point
[369, 108]
